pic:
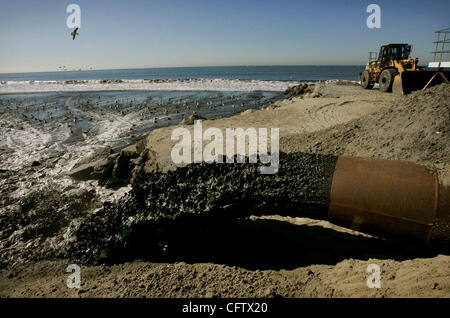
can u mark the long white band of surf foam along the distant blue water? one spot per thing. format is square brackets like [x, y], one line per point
[144, 84]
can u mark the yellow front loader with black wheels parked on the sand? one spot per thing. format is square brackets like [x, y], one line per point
[394, 71]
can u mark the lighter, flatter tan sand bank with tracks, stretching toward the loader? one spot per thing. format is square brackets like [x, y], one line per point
[339, 104]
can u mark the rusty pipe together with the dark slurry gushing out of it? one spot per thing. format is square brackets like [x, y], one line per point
[385, 198]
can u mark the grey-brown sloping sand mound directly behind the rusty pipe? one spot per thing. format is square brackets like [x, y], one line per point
[416, 128]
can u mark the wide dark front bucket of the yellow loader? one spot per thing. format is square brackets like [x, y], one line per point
[408, 81]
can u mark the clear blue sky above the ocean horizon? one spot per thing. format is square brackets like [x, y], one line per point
[165, 33]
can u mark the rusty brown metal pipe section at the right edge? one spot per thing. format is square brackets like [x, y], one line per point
[390, 198]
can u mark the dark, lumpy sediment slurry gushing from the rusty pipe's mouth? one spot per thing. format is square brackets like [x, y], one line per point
[200, 201]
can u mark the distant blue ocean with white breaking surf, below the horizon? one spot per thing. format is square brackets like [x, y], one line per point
[230, 78]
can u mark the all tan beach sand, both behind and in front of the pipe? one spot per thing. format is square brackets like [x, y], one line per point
[274, 255]
